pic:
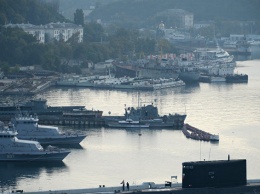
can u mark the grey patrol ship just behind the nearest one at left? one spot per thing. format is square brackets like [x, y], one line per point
[29, 129]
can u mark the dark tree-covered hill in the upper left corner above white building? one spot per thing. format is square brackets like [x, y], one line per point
[29, 11]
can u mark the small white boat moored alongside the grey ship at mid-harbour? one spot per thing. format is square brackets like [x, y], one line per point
[128, 123]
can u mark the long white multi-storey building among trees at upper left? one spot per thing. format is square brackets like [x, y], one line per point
[52, 31]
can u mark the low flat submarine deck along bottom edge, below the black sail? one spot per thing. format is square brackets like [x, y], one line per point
[253, 186]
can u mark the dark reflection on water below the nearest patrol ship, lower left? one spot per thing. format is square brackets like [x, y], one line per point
[13, 172]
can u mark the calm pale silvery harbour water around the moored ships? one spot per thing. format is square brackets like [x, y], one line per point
[107, 156]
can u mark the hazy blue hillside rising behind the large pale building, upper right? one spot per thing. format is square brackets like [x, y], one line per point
[142, 12]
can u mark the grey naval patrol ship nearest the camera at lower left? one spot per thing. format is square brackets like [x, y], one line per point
[14, 149]
